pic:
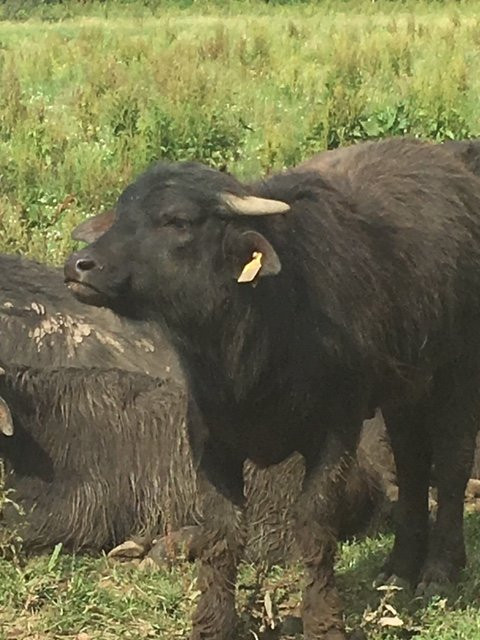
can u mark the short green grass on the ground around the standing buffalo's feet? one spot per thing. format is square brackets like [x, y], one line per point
[60, 596]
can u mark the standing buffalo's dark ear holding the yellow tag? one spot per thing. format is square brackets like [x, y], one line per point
[253, 256]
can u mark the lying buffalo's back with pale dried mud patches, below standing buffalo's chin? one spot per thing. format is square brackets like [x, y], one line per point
[42, 326]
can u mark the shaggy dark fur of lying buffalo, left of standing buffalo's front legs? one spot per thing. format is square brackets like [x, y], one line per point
[96, 455]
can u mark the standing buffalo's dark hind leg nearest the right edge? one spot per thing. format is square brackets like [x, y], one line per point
[454, 428]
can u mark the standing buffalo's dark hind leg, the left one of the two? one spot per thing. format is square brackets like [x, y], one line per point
[412, 452]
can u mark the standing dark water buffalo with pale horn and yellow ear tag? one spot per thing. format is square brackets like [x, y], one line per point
[297, 306]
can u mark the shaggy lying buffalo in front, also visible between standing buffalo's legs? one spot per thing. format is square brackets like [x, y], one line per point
[98, 455]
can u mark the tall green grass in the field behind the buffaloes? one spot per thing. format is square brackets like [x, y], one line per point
[86, 104]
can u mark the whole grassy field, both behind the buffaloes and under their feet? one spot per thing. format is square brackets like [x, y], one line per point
[90, 95]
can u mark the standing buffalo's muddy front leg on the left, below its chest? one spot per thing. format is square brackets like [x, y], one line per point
[219, 545]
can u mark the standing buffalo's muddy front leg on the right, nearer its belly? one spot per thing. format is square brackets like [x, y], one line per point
[317, 520]
